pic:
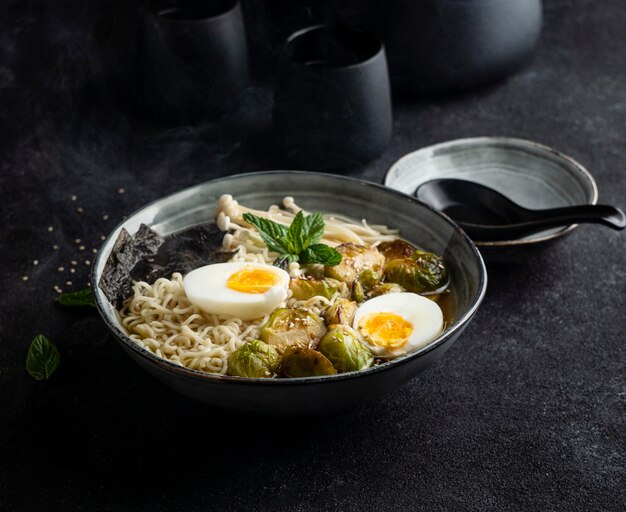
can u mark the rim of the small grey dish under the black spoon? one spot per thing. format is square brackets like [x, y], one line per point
[491, 141]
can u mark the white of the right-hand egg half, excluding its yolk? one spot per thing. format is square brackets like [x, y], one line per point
[424, 314]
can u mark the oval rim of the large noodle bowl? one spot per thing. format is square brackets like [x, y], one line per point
[169, 366]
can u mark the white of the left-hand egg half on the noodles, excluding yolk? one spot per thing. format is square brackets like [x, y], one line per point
[206, 288]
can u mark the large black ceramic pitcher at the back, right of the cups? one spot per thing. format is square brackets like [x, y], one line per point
[439, 45]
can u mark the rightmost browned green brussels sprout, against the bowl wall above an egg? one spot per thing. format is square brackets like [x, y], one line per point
[422, 272]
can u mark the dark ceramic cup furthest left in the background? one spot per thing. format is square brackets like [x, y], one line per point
[193, 58]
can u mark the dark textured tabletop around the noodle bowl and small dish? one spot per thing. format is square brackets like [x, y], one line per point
[526, 412]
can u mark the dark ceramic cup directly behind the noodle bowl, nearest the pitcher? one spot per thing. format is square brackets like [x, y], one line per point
[332, 105]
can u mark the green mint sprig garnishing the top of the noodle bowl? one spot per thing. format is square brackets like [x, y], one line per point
[299, 242]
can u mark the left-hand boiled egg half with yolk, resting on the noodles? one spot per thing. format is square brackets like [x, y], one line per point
[241, 289]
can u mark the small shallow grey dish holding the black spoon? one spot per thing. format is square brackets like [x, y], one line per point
[531, 174]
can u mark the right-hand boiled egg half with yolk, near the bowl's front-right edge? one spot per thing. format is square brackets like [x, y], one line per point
[397, 323]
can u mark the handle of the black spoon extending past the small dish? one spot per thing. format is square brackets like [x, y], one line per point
[586, 213]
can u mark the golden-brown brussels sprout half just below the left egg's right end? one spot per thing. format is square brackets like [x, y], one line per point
[293, 327]
